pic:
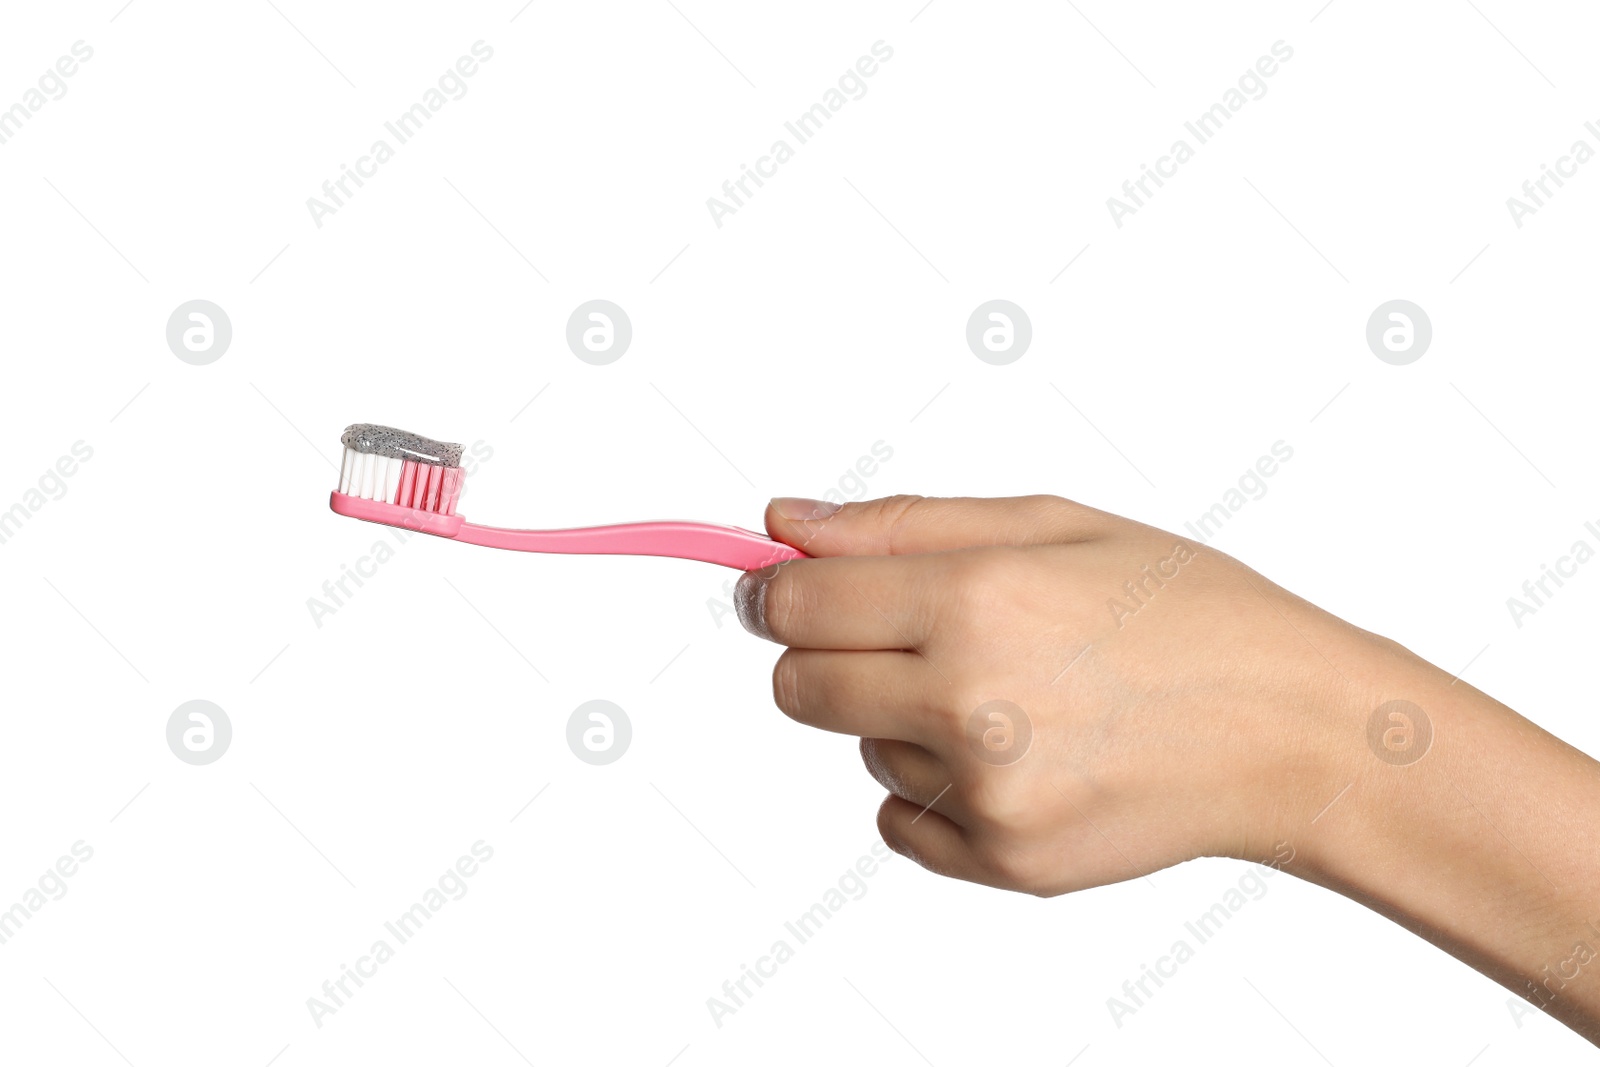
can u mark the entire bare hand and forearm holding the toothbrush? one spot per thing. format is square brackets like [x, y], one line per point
[1210, 714]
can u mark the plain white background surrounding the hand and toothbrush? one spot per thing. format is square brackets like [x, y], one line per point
[769, 356]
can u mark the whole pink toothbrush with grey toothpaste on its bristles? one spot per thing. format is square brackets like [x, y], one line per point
[414, 482]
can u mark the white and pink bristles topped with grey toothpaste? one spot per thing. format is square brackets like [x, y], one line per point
[375, 463]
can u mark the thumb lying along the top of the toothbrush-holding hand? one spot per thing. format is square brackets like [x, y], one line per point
[905, 526]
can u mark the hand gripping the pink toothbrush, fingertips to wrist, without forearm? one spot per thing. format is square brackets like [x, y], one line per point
[1073, 697]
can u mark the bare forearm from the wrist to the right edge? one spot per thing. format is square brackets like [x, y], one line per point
[1482, 845]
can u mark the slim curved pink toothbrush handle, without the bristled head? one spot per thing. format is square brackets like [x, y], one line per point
[727, 546]
